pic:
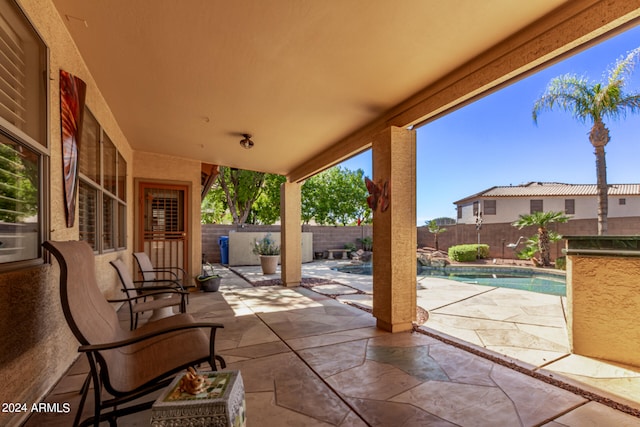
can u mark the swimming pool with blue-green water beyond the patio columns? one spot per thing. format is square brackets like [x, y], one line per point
[502, 277]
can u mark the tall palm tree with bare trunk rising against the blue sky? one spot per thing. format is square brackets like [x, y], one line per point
[592, 102]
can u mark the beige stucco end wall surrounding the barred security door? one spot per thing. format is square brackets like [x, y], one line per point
[151, 167]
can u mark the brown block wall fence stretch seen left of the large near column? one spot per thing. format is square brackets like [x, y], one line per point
[324, 237]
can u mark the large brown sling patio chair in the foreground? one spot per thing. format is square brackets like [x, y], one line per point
[126, 364]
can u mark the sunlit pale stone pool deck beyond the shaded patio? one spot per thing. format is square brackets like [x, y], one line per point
[517, 327]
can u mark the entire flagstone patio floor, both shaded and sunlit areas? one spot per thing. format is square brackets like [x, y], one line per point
[312, 356]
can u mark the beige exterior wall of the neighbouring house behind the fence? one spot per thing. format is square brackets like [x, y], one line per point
[508, 209]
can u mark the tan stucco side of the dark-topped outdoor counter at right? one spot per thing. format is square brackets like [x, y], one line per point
[603, 294]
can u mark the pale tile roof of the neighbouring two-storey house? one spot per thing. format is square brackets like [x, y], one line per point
[542, 189]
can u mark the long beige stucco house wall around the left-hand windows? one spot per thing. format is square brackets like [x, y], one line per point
[37, 347]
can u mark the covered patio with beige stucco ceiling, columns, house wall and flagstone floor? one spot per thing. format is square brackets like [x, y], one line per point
[173, 89]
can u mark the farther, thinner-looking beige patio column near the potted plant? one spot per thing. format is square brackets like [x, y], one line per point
[290, 234]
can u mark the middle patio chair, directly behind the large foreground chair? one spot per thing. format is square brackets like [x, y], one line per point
[151, 298]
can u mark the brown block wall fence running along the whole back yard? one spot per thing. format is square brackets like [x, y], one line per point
[497, 236]
